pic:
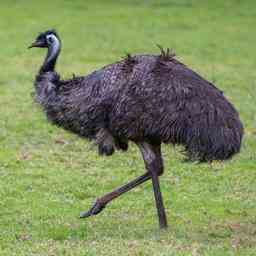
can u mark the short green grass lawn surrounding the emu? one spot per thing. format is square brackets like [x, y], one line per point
[47, 175]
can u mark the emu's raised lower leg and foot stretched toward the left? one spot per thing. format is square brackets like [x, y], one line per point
[101, 202]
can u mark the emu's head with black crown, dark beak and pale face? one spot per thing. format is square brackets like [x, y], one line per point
[47, 39]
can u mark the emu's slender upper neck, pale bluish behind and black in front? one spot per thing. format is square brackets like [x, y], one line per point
[51, 58]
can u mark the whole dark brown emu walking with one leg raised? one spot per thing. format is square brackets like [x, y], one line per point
[146, 99]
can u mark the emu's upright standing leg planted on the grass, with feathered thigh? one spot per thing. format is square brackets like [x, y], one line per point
[153, 162]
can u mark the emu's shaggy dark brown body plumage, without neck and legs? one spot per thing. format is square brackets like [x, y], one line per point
[148, 97]
